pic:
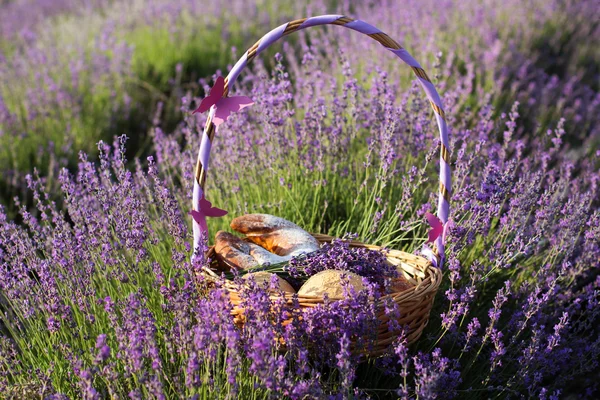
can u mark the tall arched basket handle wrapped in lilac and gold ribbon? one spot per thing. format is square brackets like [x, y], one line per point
[437, 254]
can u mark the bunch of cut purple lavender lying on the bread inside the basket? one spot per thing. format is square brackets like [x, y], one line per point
[339, 255]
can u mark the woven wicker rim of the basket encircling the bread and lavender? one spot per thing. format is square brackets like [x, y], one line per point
[428, 277]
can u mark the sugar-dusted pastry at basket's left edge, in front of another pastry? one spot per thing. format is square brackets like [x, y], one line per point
[238, 253]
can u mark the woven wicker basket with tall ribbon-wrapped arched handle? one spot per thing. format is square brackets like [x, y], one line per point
[414, 303]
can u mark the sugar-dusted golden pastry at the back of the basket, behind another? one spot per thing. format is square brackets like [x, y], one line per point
[276, 234]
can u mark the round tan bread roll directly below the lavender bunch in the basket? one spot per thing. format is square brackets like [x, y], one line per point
[330, 282]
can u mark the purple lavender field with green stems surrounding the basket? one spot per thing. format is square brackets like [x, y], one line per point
[99, 298]
